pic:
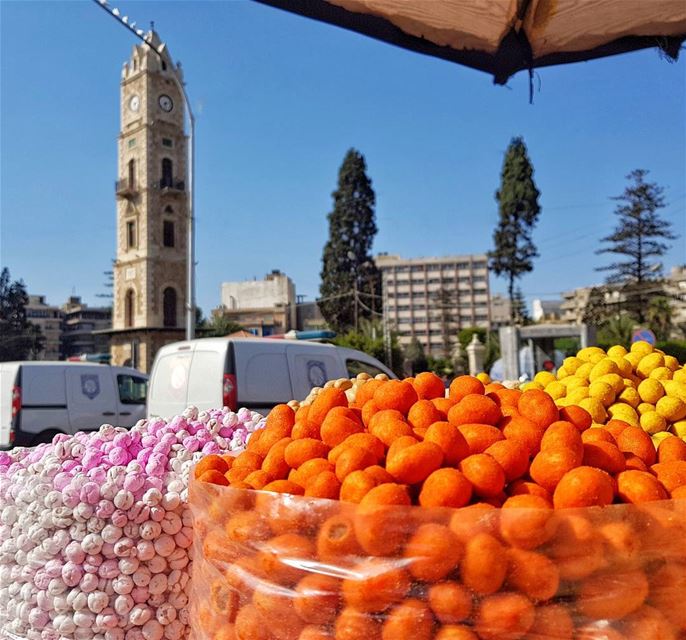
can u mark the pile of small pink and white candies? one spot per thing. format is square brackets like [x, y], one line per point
[95, 534]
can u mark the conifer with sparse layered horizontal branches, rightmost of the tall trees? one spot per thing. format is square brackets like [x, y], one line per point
[639, 239]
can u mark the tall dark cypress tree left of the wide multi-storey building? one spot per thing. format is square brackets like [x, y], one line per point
[350, 280]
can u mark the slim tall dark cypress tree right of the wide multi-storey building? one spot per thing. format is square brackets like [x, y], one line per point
[518, 212]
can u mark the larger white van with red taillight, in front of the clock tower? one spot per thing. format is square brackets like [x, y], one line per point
[256, 373]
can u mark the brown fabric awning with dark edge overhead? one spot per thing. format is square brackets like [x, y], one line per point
[502, 37]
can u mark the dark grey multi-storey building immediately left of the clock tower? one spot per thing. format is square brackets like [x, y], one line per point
[84, 328]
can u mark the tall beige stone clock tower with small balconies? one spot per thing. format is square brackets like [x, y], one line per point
[152, 208]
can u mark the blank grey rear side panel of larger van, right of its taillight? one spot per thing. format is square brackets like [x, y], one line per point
[267, 379]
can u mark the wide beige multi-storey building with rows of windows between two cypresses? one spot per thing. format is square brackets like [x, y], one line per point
[431, 299]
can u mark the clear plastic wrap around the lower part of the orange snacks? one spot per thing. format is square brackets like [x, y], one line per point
[279, 567]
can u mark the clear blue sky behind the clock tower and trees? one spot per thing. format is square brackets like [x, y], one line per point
[279, 100]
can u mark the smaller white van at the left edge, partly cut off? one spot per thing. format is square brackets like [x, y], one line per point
[40, 399]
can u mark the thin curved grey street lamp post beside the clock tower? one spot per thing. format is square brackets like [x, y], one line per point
[190, 267]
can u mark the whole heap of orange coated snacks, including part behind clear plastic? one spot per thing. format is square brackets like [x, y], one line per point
[406, 515]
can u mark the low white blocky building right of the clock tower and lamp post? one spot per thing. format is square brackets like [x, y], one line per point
[262, 307]
